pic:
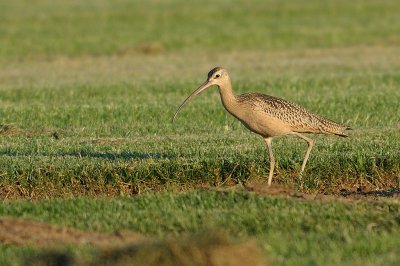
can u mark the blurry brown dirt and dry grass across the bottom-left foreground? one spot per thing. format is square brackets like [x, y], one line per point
[126, 248]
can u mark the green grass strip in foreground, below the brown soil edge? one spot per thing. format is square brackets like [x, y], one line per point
[288, 229]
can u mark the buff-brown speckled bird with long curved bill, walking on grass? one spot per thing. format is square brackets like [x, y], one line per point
[268, 116]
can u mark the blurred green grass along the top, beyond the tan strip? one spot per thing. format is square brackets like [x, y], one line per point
[94, 27]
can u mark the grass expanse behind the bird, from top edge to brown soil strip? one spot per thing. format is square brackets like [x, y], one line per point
[88, 91]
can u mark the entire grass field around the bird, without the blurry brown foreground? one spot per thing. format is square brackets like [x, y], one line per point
[88, 90]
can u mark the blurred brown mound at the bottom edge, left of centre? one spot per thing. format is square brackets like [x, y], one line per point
[200, 250]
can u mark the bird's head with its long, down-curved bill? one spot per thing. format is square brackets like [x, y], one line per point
[216, 76]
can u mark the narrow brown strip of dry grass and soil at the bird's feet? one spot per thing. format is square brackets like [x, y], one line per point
[384, 187]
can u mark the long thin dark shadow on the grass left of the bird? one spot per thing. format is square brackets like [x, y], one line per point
[132, 155]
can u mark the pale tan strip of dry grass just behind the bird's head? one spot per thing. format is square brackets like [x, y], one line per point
[137, 65]
